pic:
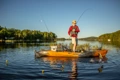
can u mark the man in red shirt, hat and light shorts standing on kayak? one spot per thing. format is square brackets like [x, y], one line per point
[73, 33]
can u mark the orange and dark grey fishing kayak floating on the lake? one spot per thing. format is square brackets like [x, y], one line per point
[49, 53]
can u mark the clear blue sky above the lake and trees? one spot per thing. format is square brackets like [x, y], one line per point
[100, 16]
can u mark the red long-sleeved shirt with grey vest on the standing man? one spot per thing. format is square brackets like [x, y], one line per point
[73, 31]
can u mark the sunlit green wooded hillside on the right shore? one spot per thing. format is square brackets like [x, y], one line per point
[115, 36]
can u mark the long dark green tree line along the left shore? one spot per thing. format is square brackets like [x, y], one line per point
[26, 34]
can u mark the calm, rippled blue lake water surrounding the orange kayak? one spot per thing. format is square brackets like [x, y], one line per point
[17, 61]
